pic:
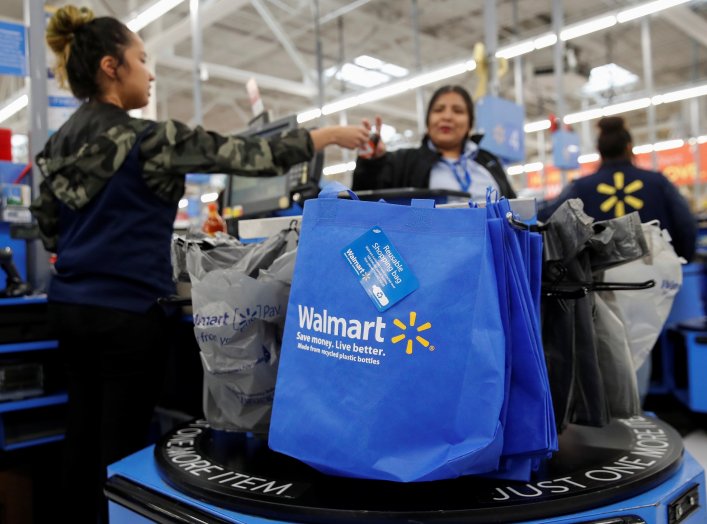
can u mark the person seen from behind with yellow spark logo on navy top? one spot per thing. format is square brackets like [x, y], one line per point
[619, 187]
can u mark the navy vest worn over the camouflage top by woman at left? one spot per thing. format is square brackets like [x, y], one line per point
[115, 251]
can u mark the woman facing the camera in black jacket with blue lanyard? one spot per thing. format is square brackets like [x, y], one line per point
[448, 158]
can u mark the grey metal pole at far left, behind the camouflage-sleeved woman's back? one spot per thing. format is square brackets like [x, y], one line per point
[37, 257]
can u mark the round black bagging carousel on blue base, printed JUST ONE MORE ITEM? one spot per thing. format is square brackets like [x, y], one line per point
[632, 471]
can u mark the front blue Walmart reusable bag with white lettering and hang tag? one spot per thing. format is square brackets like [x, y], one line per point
[403, 389]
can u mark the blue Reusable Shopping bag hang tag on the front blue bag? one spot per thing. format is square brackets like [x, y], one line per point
[381, 271]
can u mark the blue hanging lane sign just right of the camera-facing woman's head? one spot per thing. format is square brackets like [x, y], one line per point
[501, 123]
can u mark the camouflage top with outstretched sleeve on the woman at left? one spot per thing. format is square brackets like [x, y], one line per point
[82, 156]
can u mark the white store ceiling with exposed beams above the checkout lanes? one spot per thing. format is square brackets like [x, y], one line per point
[275, 40]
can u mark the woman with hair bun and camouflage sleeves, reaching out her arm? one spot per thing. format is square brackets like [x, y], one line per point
[106, 207]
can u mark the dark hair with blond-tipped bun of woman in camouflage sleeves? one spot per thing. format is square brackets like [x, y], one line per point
[79, 42]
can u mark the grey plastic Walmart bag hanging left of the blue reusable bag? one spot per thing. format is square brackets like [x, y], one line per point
[238, 324]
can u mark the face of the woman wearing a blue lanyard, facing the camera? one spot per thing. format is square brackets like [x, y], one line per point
[448, 123]
